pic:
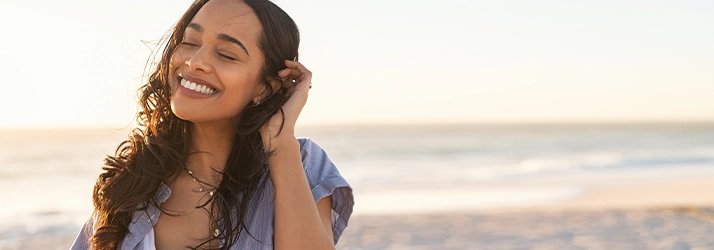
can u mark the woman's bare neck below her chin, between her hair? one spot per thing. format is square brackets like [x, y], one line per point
[209, 150]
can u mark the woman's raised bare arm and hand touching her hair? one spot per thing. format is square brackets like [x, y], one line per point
[299, 222]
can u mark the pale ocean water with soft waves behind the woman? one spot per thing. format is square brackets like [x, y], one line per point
[47, 175]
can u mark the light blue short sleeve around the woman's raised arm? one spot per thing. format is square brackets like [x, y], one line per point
[325, 180]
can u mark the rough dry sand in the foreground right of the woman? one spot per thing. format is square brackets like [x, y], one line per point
[577, 229]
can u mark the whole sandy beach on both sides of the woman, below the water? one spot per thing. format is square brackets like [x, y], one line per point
[654, 214]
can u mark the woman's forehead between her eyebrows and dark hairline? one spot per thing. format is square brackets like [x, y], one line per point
[231, 17]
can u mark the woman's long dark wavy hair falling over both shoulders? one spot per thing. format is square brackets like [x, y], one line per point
[157, 149]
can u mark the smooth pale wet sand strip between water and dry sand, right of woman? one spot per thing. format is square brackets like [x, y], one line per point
[558, 193]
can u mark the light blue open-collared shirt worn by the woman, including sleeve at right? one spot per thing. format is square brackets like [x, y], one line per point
[322, 175]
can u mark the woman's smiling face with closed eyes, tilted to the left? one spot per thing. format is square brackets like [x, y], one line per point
[214, 72]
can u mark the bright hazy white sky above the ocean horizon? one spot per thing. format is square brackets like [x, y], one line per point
[79, 62]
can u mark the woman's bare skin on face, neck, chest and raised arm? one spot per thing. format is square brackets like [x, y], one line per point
[233, 72]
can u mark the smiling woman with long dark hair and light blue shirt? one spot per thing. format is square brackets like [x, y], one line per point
[215, 163]
